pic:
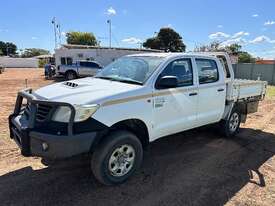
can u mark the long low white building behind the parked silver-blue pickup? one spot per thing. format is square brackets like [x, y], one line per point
[69, 54]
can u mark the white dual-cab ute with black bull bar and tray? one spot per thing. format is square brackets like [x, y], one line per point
[130, 103]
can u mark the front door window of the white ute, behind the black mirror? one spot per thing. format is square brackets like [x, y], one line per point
[181, 68]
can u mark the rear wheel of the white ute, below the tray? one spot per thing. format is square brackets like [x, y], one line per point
[231, 126]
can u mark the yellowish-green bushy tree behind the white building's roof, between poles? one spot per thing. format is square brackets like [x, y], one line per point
[81, 38]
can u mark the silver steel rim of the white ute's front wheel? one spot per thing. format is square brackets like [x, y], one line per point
[121, 160]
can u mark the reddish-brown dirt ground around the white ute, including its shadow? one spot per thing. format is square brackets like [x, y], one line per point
[197, 167]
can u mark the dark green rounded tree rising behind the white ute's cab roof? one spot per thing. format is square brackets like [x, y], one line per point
[167, 39]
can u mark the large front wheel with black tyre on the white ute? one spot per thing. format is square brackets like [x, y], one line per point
[116, 158]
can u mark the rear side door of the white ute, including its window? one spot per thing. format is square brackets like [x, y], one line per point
[211, 90]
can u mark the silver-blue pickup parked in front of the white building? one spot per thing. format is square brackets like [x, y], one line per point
[79, 69]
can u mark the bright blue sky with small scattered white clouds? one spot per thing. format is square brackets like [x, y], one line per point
[248, 22]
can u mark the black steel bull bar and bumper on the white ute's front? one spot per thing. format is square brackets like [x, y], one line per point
[34, 141]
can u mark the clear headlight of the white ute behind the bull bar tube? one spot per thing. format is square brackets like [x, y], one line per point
[82, 112]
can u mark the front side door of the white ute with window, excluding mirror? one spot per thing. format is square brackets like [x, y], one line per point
[175, 109]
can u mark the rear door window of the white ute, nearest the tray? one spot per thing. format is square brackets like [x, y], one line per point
[207, 70]
